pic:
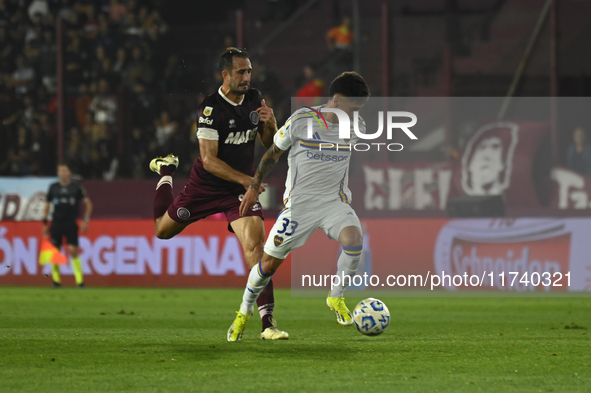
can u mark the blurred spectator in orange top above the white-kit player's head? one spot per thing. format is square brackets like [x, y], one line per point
[339, 40]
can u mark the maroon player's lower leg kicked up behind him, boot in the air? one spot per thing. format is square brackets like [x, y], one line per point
[165, 226]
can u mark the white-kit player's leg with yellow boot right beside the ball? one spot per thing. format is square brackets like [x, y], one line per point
[351, 240]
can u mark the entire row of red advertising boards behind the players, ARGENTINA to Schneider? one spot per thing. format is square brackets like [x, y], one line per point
[510, 255]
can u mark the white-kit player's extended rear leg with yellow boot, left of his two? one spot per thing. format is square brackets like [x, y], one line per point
[258, 278]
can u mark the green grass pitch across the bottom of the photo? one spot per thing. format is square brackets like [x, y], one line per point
[159, 340]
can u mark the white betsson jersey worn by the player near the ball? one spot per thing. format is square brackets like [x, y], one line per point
[318, 164]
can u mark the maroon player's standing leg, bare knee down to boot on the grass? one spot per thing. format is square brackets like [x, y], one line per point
[251, 234]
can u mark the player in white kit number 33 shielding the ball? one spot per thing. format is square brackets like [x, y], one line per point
[316, 194]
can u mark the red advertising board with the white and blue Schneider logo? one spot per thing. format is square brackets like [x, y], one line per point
[510, 255]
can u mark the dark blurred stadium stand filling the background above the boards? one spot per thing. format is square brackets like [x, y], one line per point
[135, 71]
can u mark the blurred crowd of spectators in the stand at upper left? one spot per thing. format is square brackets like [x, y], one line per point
[115, 58]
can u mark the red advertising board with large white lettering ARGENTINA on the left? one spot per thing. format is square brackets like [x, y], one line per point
[126, 253]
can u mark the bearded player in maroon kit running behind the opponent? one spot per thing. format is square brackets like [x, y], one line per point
[229, 121]
